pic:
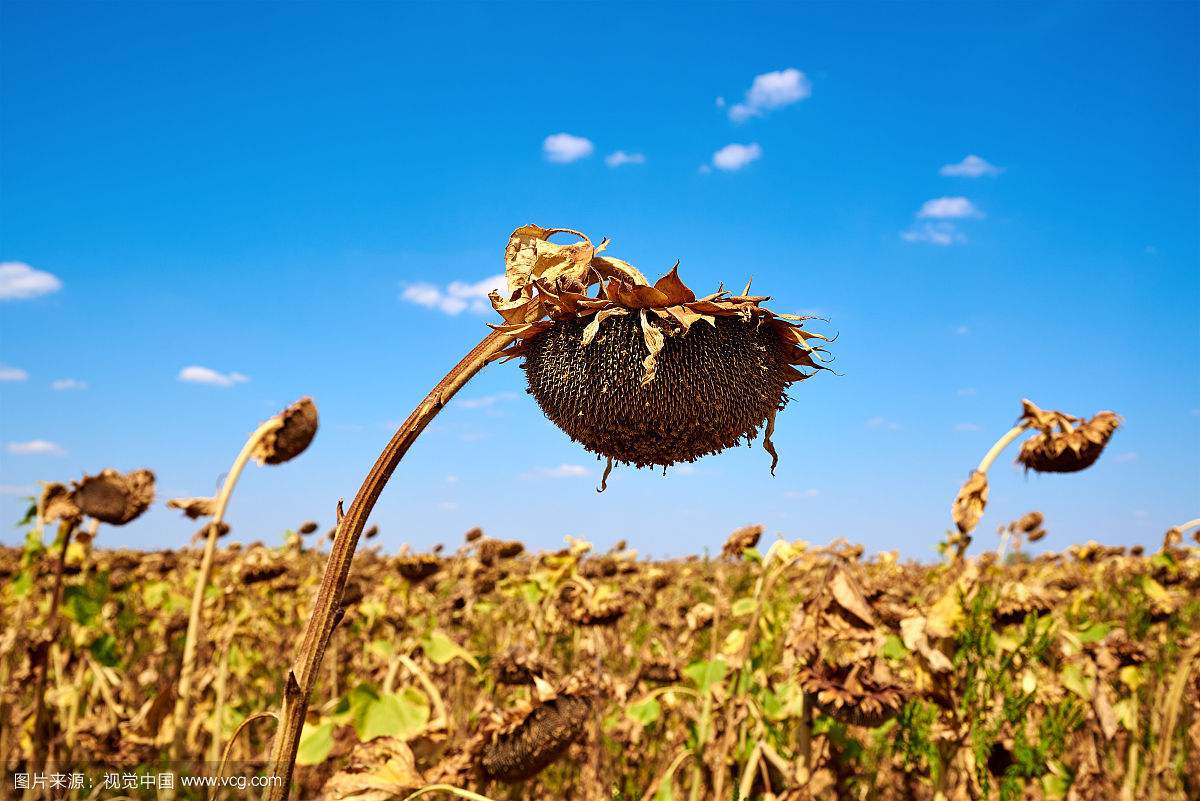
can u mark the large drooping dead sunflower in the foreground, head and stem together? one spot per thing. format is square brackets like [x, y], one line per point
[639, 374]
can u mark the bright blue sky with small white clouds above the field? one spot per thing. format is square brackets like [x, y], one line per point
[305, 198]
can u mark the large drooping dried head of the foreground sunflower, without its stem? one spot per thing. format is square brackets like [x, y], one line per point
[640, 374]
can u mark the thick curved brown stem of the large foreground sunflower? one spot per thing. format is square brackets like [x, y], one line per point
[327, 606]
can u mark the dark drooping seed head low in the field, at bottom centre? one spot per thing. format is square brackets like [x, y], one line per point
[538, 740]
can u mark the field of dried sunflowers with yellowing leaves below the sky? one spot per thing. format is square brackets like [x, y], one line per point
[783, 671]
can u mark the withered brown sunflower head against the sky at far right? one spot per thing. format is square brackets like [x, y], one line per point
[1064, 443]
